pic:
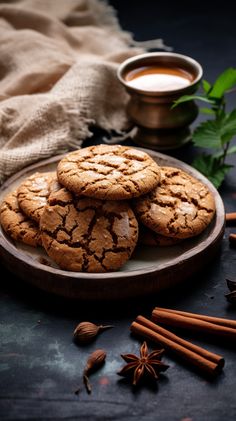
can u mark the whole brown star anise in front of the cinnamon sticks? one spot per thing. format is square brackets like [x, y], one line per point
[146, 364]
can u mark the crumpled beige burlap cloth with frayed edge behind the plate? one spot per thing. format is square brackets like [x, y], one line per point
[58, 62]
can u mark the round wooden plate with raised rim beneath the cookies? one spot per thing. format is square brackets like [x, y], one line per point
[150, 269]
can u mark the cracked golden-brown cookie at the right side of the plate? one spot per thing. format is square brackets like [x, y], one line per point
[180, 207]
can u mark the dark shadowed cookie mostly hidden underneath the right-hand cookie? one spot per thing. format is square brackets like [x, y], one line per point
[149, 237]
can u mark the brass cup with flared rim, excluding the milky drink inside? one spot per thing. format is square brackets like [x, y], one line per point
[158, 125]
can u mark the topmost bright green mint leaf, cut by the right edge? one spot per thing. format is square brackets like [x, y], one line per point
[223, 83]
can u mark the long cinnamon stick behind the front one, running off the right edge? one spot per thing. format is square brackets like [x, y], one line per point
[174, 319]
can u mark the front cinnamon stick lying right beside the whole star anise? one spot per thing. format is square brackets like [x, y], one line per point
[195, 359]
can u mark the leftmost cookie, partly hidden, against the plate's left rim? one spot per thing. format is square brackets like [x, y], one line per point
[17, 225]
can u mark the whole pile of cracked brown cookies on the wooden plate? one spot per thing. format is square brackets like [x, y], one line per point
[90, 215]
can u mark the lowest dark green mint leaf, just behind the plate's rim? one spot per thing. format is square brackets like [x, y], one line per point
[210, 167]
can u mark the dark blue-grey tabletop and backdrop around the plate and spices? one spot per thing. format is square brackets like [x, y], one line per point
[40, 366]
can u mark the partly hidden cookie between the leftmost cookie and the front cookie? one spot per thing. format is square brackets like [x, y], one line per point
[33, 192]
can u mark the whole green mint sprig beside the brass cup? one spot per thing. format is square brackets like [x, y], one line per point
[217, 132]
